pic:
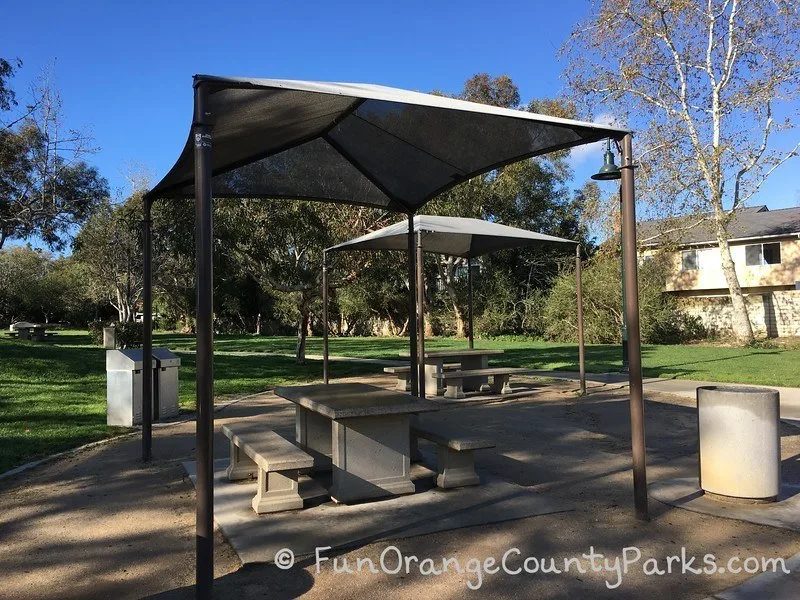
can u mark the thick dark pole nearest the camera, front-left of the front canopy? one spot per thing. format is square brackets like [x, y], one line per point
[204, 568]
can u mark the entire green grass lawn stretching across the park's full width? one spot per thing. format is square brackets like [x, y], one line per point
[52, 395]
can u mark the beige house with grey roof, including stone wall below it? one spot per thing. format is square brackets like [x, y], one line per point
[765, 246]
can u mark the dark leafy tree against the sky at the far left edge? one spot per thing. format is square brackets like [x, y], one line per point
[46, 188]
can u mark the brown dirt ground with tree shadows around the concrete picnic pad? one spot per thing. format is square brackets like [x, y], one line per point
[100, 524]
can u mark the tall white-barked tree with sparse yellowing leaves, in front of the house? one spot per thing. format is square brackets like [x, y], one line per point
[707, 85]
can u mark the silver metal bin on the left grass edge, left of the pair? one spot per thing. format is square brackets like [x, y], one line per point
[124, 387]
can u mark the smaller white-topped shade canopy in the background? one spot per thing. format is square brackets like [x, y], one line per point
[453, 236]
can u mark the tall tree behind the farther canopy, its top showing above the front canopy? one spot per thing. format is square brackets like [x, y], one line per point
[530, 194]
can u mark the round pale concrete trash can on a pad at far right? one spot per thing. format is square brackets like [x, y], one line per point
[740, 448]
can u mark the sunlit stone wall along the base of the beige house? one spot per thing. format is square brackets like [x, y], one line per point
[774, 314]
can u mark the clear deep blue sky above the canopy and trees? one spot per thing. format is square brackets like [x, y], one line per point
[124, 68]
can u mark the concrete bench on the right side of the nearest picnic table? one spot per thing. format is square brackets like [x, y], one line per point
[455, 447]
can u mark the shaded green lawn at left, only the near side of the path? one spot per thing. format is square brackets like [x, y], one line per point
[53, 395]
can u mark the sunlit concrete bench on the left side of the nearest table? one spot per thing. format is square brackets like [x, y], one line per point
[256, 449]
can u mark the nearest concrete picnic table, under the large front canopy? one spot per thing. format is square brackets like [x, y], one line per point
[362, 431]
